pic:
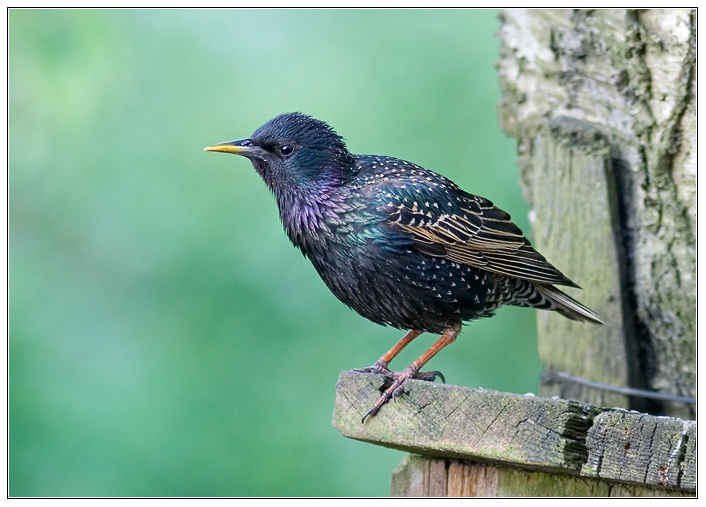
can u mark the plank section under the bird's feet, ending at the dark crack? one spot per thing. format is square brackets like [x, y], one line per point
[452, 421]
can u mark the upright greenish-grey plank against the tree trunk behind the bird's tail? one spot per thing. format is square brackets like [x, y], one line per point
[575, 208]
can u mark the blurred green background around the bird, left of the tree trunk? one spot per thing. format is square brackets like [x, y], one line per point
[165, 339]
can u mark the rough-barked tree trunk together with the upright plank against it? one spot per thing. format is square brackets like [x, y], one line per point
[602, 103]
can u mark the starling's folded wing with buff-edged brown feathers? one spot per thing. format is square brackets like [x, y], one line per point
[469, 229]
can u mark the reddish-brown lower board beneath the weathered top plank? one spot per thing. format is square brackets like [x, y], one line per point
[420, 476]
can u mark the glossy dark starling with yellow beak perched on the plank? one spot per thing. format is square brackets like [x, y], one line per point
[401, 245]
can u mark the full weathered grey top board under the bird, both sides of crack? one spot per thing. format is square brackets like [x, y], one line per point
[548, 435]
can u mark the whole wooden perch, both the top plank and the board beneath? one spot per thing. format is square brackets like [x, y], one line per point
[478, 442]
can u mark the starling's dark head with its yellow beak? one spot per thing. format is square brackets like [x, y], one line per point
[294, 152]
